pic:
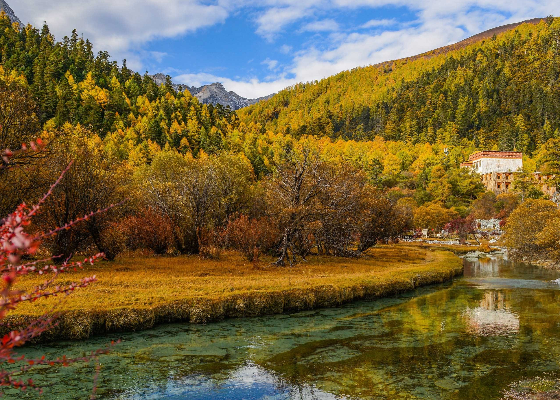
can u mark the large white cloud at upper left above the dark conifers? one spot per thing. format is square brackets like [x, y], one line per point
[119, 26]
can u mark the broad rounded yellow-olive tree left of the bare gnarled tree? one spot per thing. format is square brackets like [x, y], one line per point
[197, 194]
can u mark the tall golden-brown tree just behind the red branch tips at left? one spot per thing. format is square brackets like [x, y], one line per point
[95, 182]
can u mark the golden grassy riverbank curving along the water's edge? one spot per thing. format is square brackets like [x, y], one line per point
[138, 293]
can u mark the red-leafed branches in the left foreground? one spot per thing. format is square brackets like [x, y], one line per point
[15, 244]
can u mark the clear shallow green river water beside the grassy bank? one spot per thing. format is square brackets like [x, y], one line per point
[468, 339]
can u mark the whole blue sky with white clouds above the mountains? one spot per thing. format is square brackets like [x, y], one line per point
[259, 47]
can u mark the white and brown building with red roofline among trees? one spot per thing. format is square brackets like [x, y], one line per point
[498, 170]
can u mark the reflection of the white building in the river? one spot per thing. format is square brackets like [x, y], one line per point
[492, 317]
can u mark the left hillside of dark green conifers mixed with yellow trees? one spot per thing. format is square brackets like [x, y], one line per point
[71, 85]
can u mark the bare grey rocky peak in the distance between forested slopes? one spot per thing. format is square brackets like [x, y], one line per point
[214, 93]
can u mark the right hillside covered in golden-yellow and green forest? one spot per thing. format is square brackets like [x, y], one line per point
[501, 92]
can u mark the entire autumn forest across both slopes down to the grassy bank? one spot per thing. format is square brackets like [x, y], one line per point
[331, 167]
